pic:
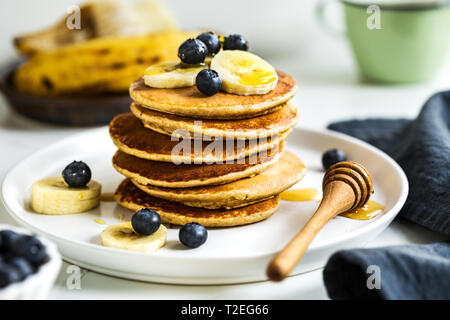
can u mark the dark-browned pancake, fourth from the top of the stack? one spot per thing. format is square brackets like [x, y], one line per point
[168, 174]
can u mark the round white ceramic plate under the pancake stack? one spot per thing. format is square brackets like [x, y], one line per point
[231, 255]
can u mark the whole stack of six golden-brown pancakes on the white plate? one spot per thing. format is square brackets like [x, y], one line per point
[219, 160]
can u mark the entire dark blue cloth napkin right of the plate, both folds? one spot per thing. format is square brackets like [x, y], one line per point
[422, 148]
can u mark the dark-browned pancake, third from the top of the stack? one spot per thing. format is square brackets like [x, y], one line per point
[131, 137]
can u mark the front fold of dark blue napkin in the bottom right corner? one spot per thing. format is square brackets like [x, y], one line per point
[397, 272]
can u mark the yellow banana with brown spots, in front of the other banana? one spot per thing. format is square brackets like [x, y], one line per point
[100, 65]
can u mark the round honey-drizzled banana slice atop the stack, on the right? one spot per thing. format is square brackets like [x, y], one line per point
[244, 73]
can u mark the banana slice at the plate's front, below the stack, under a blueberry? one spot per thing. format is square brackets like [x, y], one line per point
[122, 236]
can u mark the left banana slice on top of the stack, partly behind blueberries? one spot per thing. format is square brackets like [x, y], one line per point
[171, 75]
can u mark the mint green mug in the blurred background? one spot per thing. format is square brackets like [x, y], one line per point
[397, 42]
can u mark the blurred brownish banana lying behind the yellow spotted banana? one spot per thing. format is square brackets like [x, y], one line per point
[96, 19]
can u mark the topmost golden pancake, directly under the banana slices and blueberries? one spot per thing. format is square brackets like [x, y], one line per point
[192, 103]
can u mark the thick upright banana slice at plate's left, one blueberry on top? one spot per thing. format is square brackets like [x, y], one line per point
[53, 196]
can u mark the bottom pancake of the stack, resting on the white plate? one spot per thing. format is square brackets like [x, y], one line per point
[131, 197]
